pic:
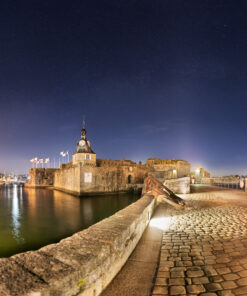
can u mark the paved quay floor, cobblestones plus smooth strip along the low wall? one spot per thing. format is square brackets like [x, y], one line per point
[200, 251]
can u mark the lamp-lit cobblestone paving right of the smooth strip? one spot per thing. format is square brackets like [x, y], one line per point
[204, 251]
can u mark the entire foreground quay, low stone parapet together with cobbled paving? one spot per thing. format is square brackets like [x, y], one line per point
[200, 250]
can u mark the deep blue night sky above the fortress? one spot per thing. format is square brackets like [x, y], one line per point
[156, 78]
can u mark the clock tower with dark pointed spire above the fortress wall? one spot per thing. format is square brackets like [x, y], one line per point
[84, 154]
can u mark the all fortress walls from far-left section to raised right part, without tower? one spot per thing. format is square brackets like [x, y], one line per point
[107, 176]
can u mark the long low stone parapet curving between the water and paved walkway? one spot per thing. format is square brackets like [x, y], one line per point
[83, 264]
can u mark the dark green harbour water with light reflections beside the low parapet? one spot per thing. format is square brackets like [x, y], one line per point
[31, 218]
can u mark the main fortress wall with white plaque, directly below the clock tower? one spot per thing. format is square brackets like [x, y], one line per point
[82, 180]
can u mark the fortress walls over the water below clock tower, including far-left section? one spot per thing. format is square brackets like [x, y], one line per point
[72, 178]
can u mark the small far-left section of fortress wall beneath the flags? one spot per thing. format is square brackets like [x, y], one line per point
[40, 177]
